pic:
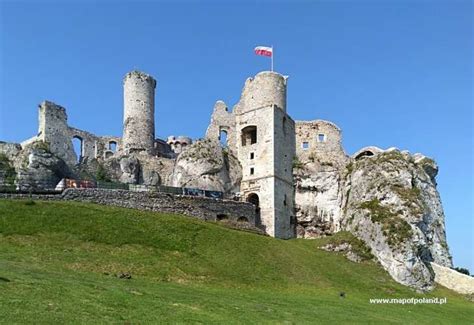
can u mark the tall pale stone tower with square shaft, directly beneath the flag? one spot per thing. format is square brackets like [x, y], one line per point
[266, 148]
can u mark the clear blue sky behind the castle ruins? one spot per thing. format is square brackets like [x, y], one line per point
[389, 73]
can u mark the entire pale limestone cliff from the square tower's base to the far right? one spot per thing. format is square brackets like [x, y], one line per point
[386, 198]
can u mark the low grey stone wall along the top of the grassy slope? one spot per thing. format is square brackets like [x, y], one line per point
[197, 207]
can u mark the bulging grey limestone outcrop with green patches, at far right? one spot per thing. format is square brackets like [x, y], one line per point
[392, 204]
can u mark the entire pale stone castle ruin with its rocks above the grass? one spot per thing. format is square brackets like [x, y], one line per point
[296, 174]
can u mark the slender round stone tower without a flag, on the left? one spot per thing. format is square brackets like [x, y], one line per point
[139, 112]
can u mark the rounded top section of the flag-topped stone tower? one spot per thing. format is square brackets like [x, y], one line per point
[265, 89]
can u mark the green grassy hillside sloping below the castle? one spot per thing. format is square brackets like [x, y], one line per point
[59, 263]
